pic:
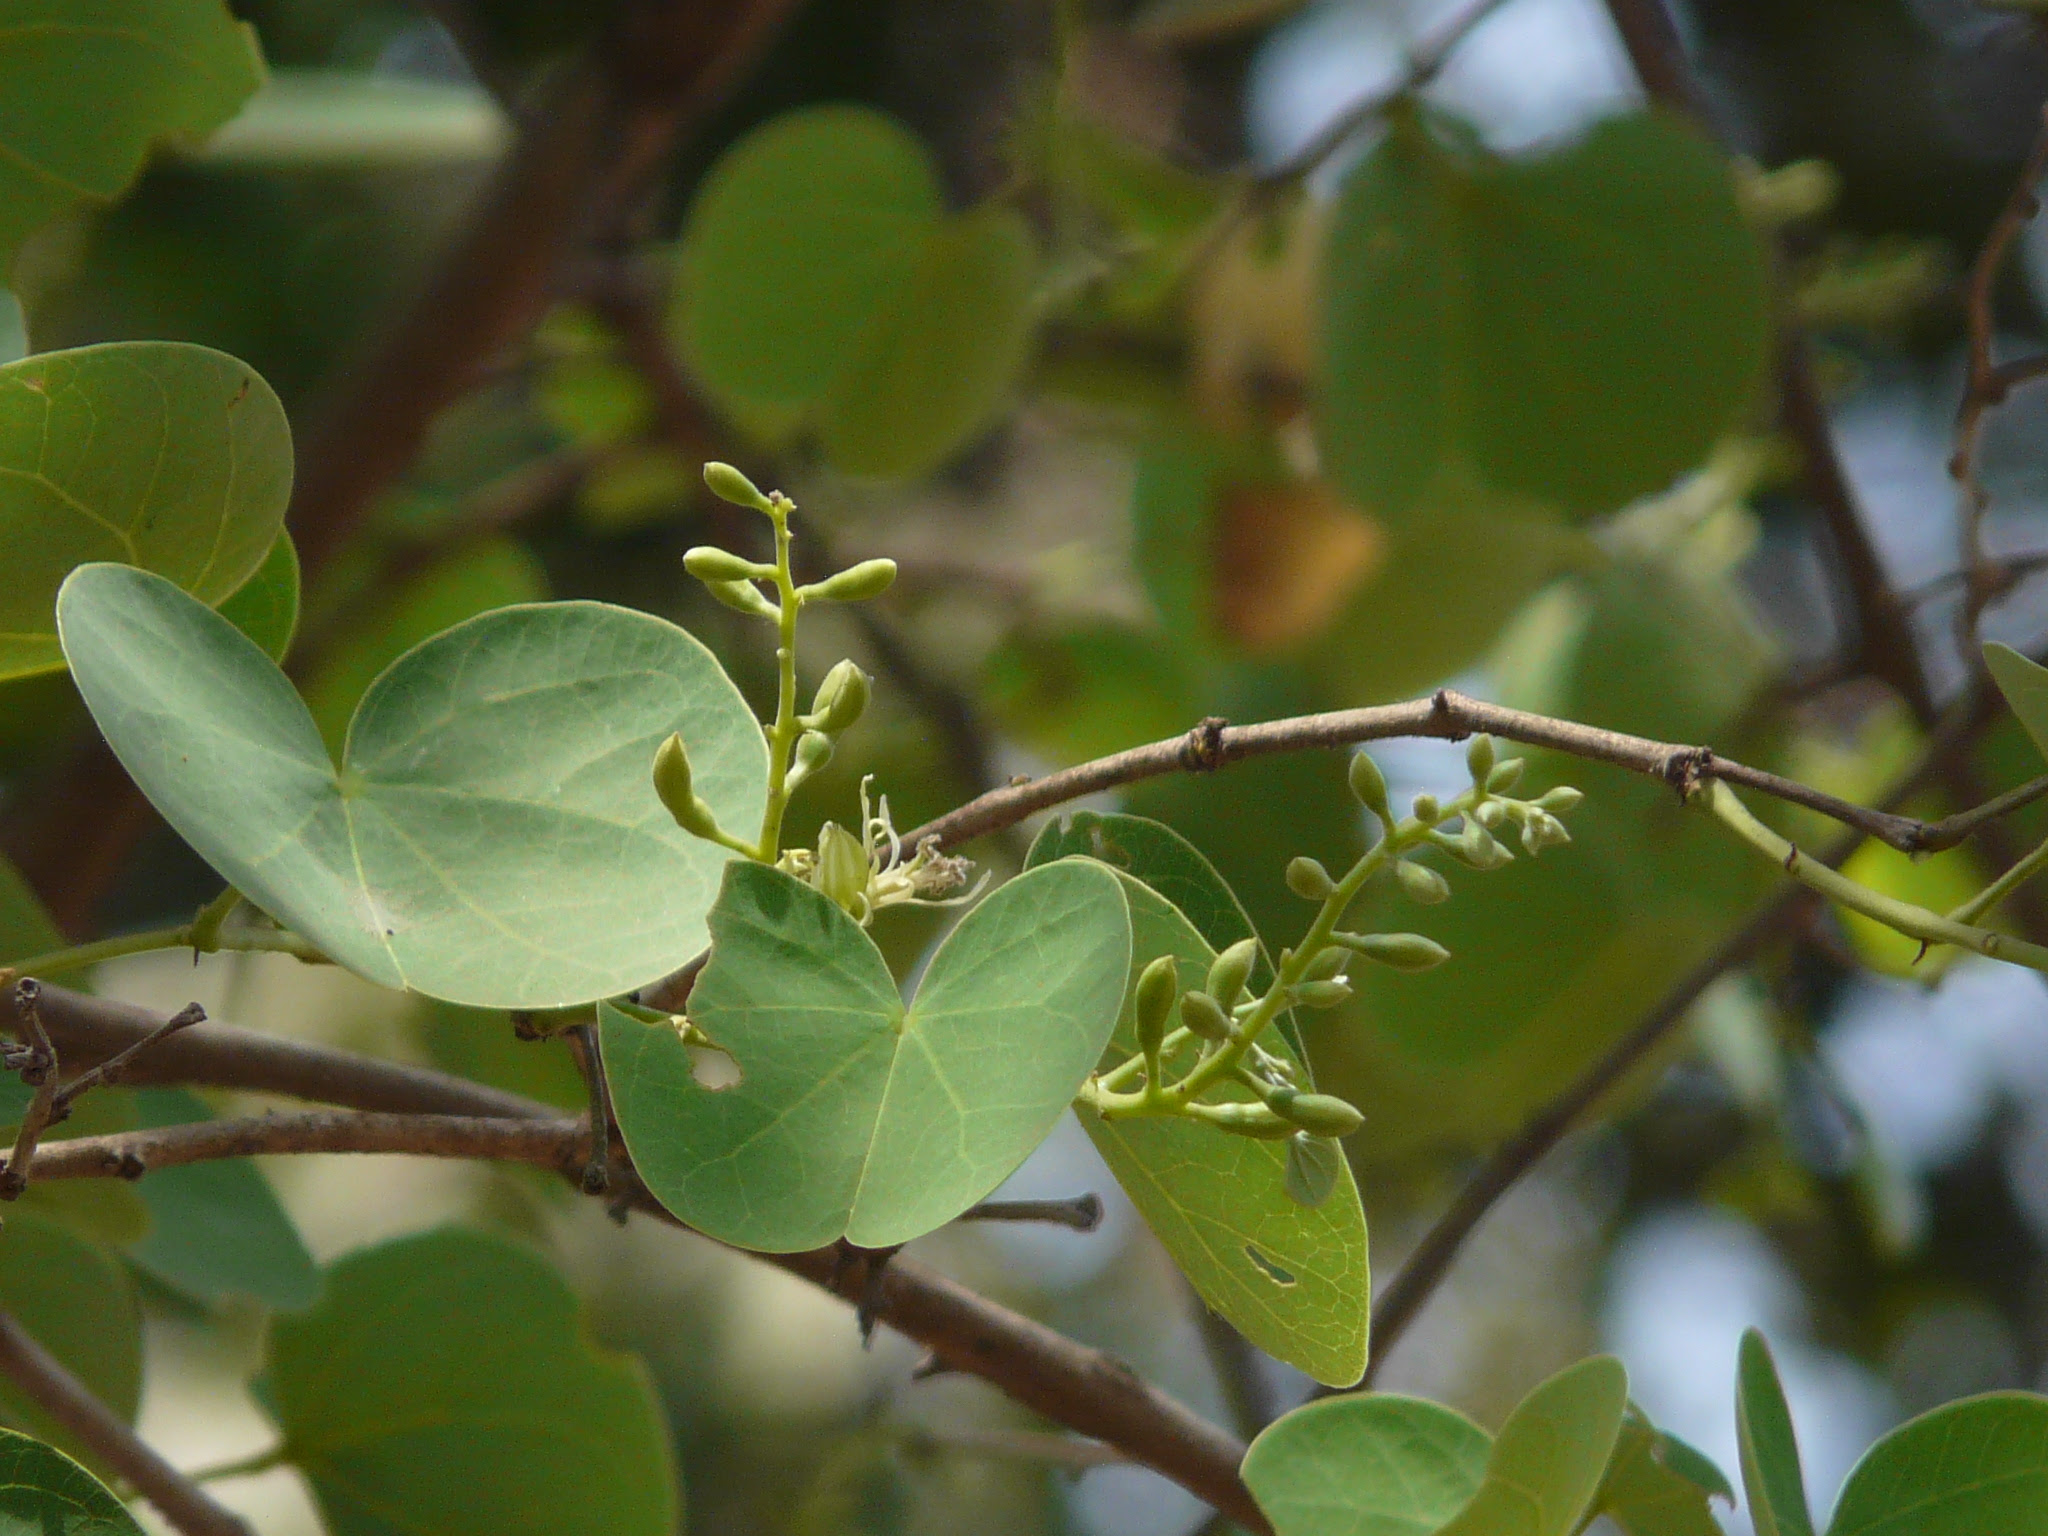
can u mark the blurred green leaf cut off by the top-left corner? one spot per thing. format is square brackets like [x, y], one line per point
[91, 85]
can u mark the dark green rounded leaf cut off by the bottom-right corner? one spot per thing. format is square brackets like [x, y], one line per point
[1965, 1469]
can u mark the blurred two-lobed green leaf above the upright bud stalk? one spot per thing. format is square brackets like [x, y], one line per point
[824, 288]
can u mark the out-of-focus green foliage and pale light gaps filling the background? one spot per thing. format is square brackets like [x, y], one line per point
[1019, 300]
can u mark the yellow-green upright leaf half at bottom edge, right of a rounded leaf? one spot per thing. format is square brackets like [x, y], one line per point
[1551, 1455]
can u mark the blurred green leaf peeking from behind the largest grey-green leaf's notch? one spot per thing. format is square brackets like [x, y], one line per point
[470, 581]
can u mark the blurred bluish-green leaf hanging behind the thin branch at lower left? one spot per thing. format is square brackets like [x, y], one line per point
[218, 1230]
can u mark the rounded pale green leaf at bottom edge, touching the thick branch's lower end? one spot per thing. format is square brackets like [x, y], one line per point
[1367, 1465]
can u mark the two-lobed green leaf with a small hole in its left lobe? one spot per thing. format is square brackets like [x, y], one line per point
[853, 1115]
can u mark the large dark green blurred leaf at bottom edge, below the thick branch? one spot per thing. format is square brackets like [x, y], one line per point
[445, 1388]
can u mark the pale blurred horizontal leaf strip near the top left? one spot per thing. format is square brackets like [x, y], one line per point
[335, 120]
